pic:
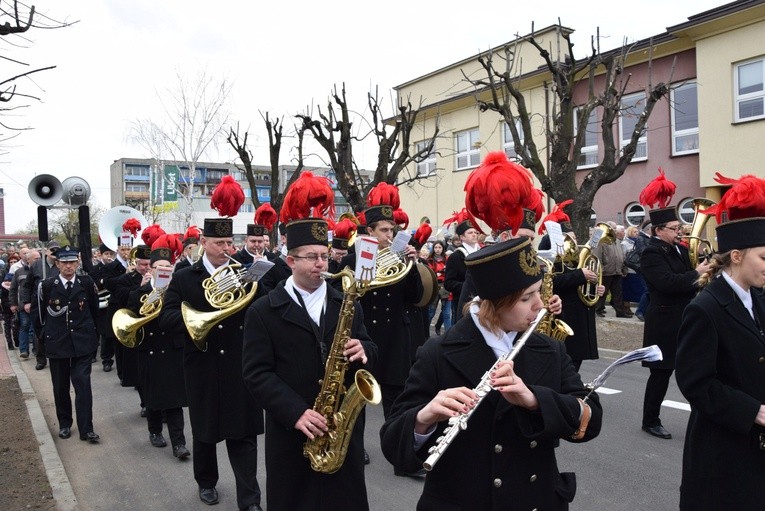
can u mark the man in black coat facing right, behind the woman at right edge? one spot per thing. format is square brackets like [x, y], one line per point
[671, 282]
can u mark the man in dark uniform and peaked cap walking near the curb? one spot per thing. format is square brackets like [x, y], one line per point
[68, 304]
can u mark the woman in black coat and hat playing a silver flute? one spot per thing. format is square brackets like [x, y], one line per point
[505, 459]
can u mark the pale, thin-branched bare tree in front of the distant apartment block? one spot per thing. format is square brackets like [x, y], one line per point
[196, 117]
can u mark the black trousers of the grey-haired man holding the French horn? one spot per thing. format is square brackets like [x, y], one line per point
[243, 456]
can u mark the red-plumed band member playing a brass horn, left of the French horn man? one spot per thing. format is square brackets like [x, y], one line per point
[161, 355]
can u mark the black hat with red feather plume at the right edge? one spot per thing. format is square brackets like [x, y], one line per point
[740, 213]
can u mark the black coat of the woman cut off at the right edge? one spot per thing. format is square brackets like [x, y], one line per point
[721, 371]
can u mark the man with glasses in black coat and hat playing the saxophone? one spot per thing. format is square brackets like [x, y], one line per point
[288, 336]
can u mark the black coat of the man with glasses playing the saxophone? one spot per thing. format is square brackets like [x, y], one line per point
[282, 369]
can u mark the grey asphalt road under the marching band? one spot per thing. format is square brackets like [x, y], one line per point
[623, 469]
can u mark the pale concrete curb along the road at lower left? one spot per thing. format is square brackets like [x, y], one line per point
[60, 485]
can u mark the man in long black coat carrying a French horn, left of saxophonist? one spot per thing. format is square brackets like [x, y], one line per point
[220, 407]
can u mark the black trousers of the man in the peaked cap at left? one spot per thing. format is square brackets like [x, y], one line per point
[76, 370]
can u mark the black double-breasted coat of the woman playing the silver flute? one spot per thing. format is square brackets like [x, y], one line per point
[505, 459]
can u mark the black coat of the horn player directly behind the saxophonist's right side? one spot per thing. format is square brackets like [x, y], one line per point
[389, 323]
